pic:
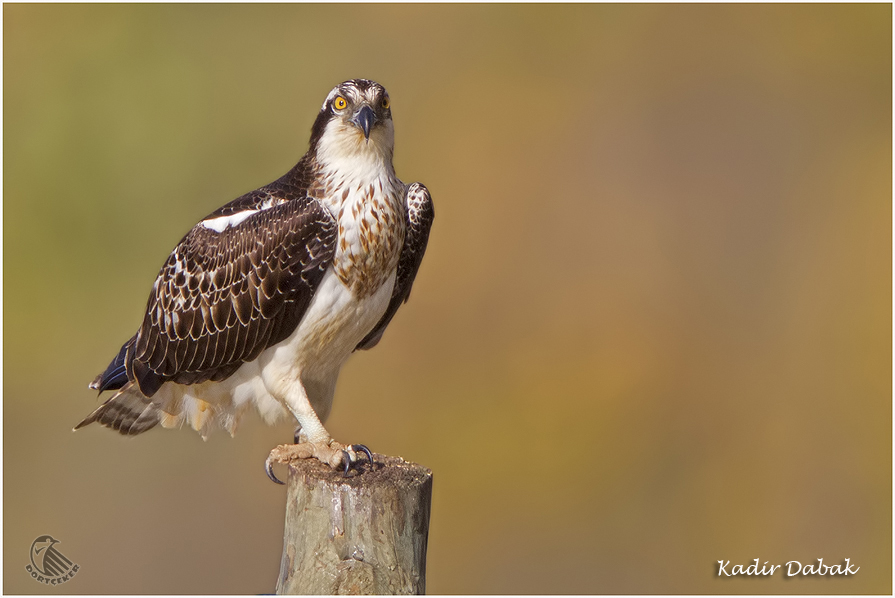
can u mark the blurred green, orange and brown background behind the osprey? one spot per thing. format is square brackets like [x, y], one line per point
[652, 329]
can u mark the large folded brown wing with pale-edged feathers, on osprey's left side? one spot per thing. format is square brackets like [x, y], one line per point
[223, 297]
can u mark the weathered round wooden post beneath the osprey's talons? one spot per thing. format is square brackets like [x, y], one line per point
[364, 534]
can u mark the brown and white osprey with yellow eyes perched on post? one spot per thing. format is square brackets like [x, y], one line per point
[263, 301]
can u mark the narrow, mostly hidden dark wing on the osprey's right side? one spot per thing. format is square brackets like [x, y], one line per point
[419, 214]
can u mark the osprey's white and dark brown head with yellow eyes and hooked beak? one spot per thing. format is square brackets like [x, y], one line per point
[355, 123]
